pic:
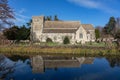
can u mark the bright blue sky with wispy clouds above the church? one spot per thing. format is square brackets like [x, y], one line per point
[96, 12]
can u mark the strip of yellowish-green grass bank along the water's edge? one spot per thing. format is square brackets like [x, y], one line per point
[64, 50]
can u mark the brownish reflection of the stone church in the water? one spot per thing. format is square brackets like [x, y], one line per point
[39, 63]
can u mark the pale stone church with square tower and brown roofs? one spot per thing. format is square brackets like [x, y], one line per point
[58, 30]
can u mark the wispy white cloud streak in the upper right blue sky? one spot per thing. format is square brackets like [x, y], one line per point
[94, 4]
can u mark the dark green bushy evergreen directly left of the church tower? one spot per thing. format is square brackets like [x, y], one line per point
[17, 33]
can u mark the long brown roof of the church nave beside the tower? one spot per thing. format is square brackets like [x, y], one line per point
[61, 26]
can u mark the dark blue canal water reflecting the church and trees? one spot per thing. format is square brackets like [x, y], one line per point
[59, 68]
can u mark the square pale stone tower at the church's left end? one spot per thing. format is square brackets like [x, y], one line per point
[36, 28]
